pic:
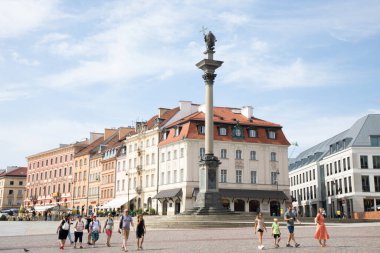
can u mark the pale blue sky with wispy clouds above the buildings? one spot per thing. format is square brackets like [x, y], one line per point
[68, 68]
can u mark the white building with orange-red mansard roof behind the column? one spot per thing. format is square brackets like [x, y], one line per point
[253, 173]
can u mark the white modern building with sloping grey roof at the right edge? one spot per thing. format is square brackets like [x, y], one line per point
[341, 173]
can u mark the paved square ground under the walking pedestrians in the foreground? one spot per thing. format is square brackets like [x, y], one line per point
[40, 237]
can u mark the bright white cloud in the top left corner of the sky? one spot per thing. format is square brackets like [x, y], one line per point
[22, 16]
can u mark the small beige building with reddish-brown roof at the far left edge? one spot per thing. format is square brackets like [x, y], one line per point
[12, 187]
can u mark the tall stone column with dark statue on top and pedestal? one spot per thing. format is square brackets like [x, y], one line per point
[208, 199]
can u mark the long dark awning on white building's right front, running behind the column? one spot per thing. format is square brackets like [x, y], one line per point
[251, 194]
